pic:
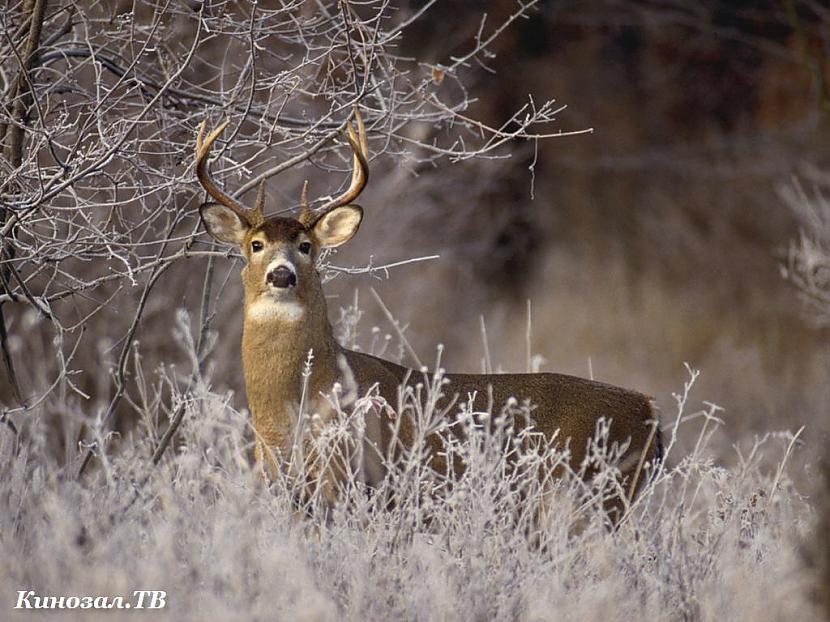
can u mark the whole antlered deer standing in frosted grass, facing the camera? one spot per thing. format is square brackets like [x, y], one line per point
[285, 321]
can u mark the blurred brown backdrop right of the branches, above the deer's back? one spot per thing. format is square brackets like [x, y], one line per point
[657, 239]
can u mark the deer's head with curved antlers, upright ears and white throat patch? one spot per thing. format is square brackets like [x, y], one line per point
[280, 277]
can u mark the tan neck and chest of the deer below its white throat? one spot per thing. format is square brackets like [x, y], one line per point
[274, 355]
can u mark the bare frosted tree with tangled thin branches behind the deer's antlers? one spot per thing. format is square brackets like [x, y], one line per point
[100, 105]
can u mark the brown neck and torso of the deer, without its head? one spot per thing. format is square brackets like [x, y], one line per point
[566, 408]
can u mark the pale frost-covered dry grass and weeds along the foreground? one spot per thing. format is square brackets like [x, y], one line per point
[702, 542]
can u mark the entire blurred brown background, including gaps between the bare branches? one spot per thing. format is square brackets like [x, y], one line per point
[664, 236]
